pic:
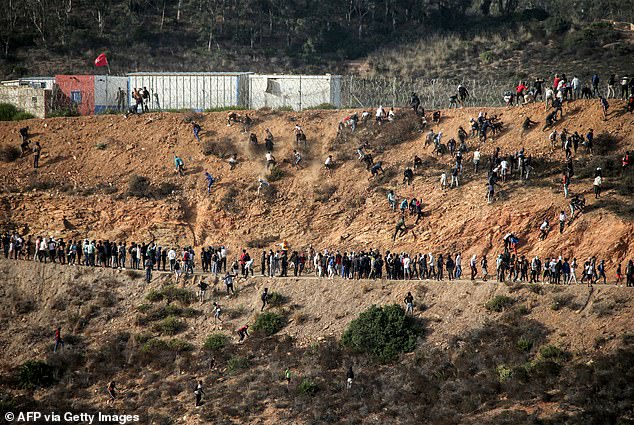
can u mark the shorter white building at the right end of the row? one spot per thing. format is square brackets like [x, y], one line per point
[295, 91]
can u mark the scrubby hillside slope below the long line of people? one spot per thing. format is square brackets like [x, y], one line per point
[451, 378]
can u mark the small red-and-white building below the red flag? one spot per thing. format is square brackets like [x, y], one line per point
[90, 94]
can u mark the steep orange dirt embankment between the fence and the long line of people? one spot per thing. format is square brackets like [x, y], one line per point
[80, 188]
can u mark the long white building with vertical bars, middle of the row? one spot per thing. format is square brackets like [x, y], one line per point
[191, 90]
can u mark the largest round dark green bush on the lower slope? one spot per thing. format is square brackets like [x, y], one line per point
[382, 332]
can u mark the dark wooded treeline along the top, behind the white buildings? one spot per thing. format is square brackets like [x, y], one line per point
[274, 35]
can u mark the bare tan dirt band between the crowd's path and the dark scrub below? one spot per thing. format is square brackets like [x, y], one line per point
[98, 302]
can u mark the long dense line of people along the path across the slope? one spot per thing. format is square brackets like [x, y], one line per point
[282, 262]
